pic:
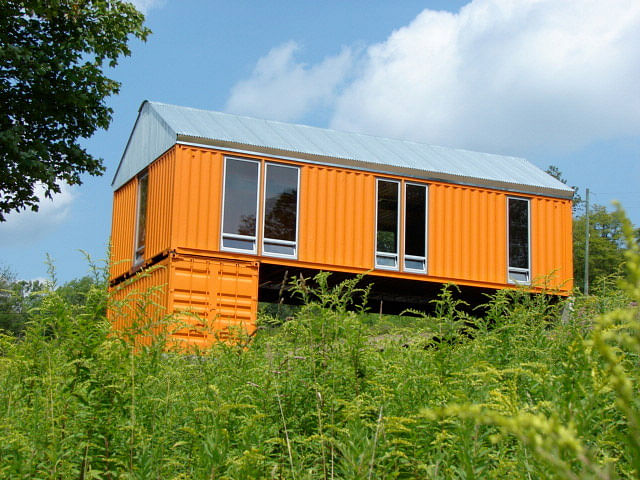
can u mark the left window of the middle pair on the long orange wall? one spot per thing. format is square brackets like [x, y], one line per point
[388, 205]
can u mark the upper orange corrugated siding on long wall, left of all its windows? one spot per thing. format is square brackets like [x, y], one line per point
[197, 199]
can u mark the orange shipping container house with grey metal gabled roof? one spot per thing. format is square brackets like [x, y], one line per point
[227, 205]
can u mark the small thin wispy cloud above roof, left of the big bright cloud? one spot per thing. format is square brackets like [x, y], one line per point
[281, 88]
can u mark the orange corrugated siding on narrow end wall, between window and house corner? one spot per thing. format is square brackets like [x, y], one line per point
[159, 204]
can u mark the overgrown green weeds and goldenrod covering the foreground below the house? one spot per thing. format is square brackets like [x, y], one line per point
[533, 390]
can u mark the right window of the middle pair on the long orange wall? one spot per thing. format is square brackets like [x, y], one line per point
[415, 227]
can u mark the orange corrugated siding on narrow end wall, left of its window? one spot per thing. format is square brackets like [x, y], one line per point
[123, 228]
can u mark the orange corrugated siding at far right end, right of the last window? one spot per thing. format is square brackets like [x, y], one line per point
[551, 238]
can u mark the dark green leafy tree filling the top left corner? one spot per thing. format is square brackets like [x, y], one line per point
[53, 89]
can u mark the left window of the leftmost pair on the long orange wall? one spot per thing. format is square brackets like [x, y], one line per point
[240, 205]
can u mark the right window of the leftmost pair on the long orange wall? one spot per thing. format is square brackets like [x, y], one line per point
[280, 210]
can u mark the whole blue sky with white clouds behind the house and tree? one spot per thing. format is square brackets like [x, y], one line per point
[555, 82]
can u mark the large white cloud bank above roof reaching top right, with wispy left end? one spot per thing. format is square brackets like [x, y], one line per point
[499, 75]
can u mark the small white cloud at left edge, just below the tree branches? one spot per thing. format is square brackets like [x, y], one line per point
[26, 226]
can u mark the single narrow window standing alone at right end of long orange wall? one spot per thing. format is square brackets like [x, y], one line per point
[518, 239]
